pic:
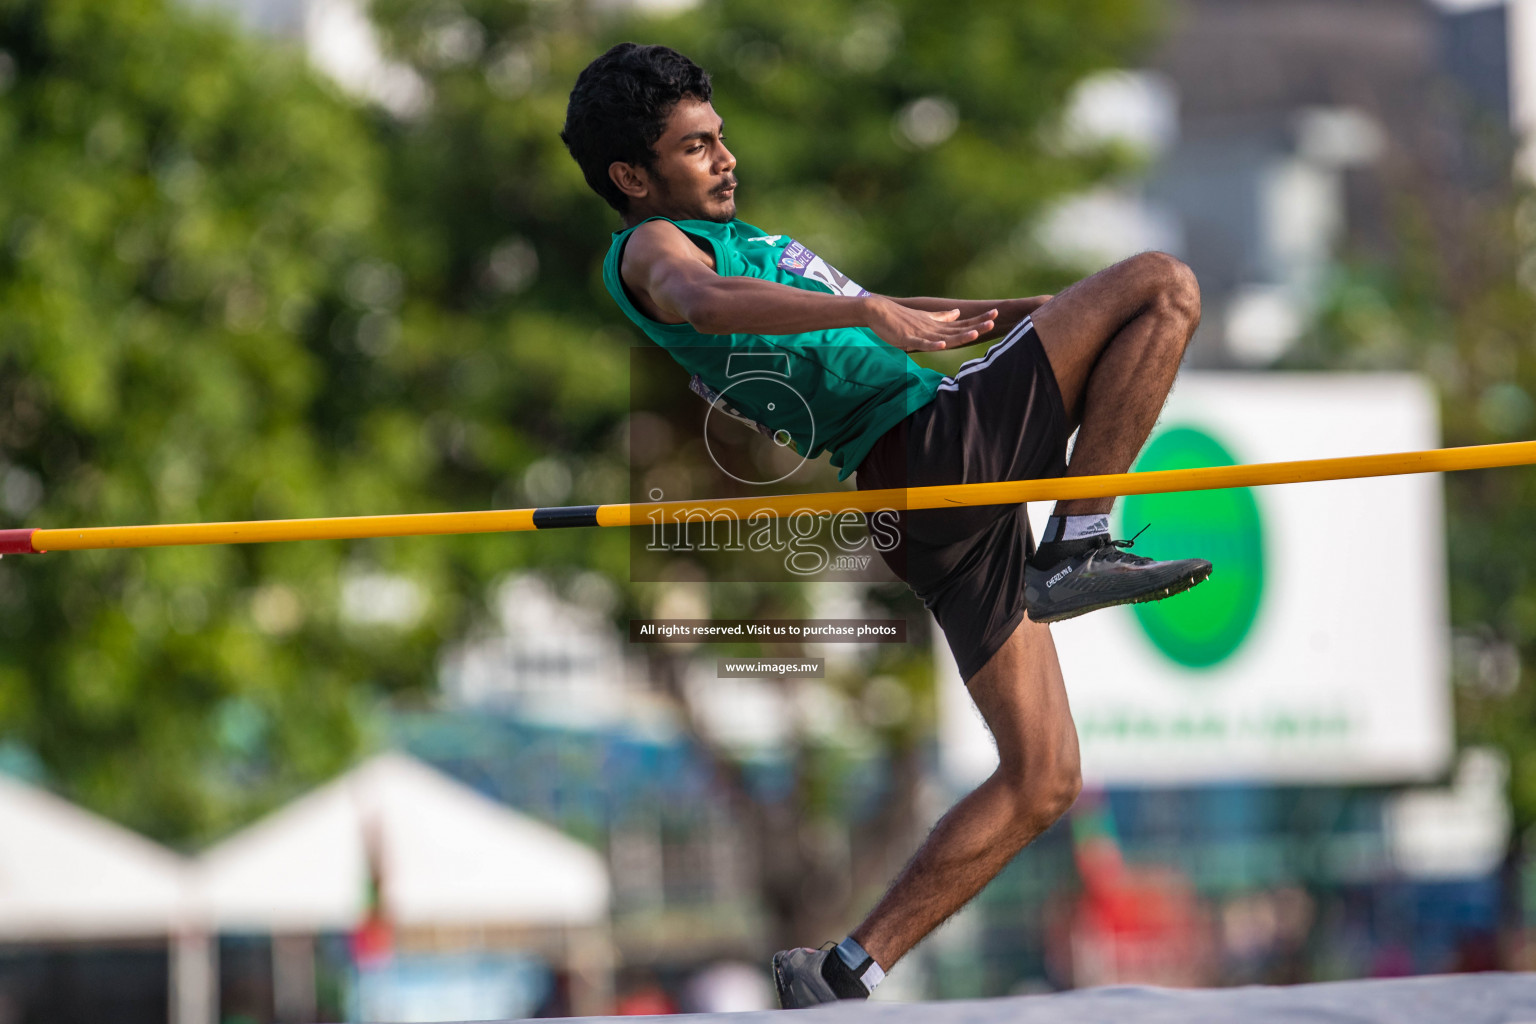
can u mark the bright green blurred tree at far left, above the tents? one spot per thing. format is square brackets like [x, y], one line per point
[185, 257]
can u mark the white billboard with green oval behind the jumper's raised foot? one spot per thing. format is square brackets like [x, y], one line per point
[1319, 650]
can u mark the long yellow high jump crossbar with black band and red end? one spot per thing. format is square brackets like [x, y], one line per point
[770, 506]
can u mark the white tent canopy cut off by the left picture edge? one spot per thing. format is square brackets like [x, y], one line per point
[70, 874]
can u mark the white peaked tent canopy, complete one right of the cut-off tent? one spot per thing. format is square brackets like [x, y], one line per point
[445, 854]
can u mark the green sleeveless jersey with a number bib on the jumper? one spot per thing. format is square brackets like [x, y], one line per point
[829, 391]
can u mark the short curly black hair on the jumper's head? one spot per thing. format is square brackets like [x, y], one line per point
[620, 108]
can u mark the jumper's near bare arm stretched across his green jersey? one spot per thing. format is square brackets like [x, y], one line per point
[674, 282]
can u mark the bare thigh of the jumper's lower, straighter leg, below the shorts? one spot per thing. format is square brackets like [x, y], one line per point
[1022, 699]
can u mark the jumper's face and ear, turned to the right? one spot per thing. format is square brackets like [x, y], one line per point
[694, 177]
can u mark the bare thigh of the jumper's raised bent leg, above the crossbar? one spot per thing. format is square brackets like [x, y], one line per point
[1078, 323]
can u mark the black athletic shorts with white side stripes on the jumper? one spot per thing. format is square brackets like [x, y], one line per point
[999, 418]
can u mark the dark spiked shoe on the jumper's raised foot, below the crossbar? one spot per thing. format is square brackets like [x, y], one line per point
[1104, 576]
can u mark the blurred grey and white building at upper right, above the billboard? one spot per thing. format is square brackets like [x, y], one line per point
[1280, 134]
